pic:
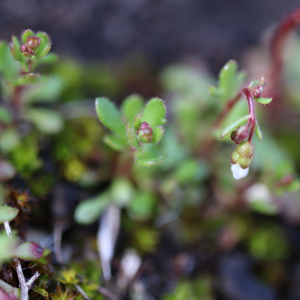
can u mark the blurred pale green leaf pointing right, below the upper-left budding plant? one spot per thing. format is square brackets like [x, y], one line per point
[46, 120]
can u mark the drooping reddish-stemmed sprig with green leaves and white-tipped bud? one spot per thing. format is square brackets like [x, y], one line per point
[230, 82]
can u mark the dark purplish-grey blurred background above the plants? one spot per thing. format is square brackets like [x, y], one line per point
[163, 31]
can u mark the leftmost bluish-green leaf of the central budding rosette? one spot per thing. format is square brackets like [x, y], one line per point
[109, 116]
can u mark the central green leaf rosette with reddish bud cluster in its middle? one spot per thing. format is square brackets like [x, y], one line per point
[137, 126]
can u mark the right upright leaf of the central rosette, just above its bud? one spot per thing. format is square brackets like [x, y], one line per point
[154, 112]
